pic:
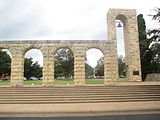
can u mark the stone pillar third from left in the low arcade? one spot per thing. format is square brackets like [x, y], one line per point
[79, 68]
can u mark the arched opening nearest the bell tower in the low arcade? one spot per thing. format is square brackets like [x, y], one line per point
[94, 66]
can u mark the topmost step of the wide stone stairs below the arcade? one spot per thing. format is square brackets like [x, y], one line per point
[53, 91]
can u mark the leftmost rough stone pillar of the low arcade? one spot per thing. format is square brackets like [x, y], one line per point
[17, 68]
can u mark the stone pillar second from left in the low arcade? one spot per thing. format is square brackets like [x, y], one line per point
[48, 68]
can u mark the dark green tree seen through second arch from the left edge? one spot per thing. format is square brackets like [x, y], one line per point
[32, 69]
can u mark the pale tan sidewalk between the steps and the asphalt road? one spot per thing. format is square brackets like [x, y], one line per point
[79, 109]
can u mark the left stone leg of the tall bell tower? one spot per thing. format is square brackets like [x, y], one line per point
[111, 58]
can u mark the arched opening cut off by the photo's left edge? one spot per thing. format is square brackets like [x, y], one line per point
[5, 67]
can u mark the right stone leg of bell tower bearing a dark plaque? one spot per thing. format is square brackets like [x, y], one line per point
[133, 51]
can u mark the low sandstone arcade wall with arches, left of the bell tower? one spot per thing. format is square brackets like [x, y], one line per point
[49, 48]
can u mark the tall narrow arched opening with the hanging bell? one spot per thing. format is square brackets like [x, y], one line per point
[121, 36]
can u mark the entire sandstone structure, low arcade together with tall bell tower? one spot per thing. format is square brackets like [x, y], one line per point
[79, 48]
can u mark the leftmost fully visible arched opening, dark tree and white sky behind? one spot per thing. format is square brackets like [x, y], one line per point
[33, 67]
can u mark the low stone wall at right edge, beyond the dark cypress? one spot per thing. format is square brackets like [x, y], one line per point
[153, 77]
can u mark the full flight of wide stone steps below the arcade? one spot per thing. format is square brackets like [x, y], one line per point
[78, 94]
